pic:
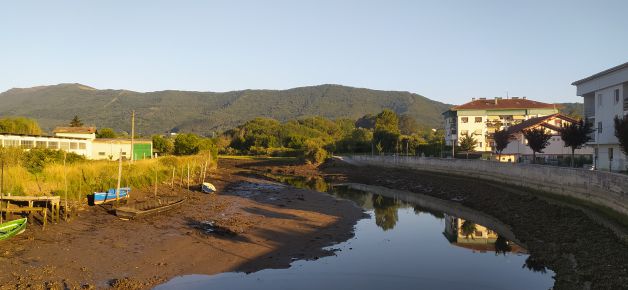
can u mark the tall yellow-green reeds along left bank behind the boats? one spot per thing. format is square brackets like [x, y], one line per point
[90, 176]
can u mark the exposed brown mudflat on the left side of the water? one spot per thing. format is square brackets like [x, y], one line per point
[263, 225]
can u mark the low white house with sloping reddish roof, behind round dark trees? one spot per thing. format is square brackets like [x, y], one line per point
[518, 148]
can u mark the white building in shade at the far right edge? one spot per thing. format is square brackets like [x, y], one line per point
[605, 97]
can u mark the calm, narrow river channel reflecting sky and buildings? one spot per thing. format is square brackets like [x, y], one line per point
[409, 241]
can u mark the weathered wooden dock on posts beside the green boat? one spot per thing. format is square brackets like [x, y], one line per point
[15, 204]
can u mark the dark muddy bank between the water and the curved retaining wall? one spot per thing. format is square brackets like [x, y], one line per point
[582, 253]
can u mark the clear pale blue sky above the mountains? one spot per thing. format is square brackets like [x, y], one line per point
[446, 50]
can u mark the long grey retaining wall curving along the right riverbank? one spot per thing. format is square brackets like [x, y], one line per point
[598, 187]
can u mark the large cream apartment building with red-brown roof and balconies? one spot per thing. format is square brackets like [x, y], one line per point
[482, 117]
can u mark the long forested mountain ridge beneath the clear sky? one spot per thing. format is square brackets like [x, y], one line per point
[206, 112]
